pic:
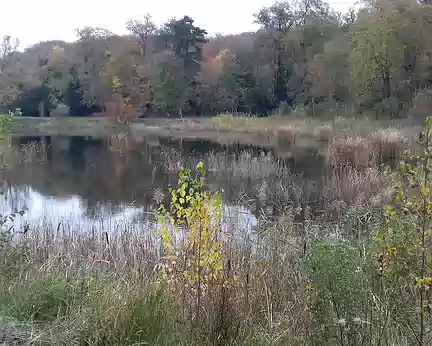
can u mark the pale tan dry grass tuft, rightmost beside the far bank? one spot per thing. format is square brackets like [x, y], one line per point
[388, 143]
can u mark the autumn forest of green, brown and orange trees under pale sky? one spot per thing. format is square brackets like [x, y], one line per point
[305, 56]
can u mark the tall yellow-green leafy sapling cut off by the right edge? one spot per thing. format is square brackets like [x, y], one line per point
[404, 245]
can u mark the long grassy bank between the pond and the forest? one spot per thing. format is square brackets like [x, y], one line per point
[266, 131]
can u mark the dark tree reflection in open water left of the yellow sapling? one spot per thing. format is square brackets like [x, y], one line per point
[89, 169]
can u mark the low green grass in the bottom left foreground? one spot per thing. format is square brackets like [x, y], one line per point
[64, 311]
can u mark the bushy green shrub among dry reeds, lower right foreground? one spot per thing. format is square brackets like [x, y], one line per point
[338, 293]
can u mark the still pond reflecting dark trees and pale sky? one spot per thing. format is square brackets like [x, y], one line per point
[116, 183]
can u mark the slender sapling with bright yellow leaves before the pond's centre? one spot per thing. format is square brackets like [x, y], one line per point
[192, 237]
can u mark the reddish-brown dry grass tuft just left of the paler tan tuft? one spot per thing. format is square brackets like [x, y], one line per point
[353, 152]
